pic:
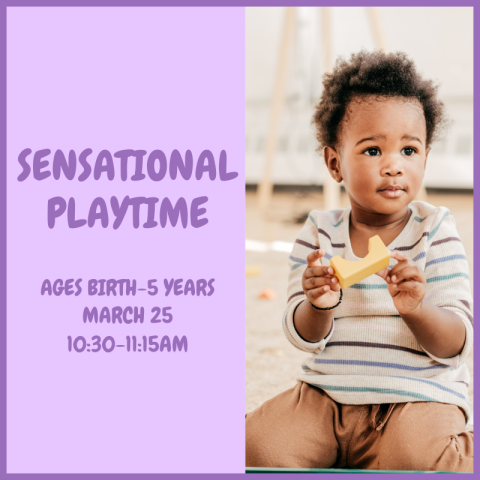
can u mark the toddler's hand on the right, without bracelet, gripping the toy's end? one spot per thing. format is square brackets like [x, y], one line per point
[407, 283]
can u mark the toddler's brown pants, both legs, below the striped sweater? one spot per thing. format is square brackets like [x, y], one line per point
[304, 428]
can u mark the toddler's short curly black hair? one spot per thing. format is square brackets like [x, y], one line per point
[376, 74]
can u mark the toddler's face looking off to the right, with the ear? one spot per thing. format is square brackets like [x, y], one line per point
[383, 154]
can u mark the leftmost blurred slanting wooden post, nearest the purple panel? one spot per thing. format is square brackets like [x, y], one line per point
[265, 187]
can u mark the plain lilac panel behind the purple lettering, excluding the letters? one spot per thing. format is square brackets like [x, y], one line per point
[116, 78]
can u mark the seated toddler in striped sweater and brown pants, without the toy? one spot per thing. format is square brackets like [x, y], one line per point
[386, 385]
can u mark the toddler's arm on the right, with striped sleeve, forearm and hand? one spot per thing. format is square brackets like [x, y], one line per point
[435, 302]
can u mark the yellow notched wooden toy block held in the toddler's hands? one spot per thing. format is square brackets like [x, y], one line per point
[349, 273]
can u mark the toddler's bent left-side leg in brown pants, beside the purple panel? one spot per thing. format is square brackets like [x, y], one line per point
[293, 430]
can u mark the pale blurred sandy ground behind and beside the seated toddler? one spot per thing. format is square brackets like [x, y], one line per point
[272, 363]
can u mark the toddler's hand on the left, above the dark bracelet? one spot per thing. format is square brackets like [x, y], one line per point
[318, 282]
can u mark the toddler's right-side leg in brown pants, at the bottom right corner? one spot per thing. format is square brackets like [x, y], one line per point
[419, 436]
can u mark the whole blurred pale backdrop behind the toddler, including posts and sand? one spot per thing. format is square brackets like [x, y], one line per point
[287, 52]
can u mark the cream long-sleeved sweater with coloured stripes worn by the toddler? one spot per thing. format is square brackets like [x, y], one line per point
[370, 356]
